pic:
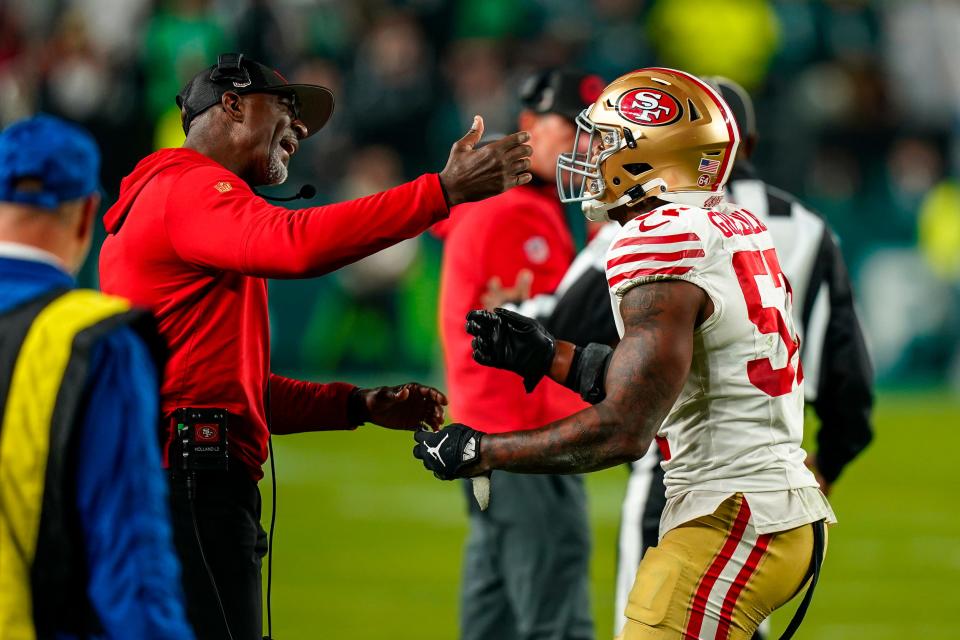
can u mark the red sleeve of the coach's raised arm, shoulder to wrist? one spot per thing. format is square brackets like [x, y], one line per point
[214, 220]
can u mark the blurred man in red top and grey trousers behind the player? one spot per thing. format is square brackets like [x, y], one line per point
[526, 559]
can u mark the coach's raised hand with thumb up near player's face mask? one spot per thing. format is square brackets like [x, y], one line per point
[474, 174]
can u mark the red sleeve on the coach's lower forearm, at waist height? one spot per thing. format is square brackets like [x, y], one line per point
[297, 406]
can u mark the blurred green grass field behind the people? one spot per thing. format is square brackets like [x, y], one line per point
[368, 544]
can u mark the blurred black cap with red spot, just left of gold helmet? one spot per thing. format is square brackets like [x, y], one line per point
[566, 92]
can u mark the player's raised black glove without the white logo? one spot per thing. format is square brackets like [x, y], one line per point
[507, 340]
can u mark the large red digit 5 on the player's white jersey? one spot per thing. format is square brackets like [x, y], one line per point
[748, 265]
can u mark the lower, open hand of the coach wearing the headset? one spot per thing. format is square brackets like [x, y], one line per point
[407, 406]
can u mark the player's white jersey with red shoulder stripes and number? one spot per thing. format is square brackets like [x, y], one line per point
[738, 423]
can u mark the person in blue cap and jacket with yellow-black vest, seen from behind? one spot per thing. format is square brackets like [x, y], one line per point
[85, 540]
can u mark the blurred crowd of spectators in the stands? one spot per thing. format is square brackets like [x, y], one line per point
[858, 108]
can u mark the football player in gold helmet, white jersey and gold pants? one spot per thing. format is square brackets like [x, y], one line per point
[707, 366]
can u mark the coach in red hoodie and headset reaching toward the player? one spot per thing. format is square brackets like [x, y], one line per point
[189, 239]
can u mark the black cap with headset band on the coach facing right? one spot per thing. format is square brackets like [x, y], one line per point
[233, 72]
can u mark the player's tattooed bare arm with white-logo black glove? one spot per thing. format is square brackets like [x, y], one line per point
[645, 376]
